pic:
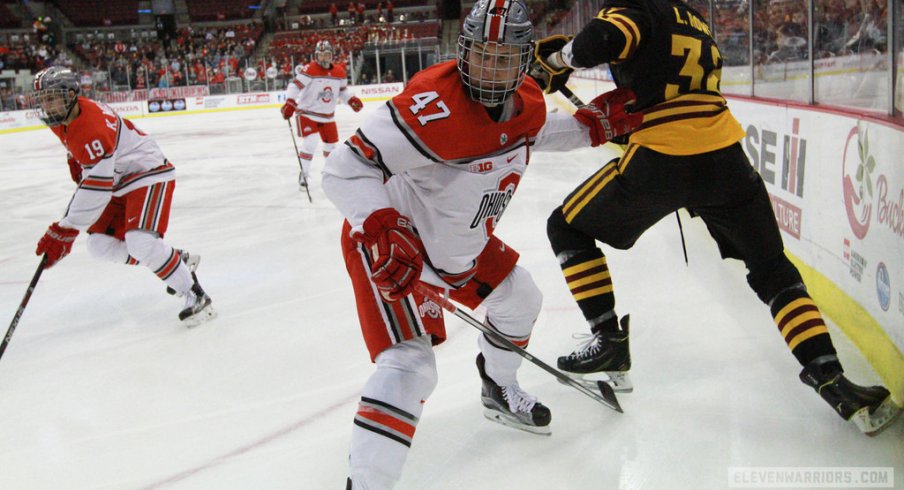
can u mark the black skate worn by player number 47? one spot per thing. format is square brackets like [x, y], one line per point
[511, 406]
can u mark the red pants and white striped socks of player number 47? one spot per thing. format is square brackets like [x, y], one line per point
[399, 336]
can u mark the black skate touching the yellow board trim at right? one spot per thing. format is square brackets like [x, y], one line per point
[871, 408]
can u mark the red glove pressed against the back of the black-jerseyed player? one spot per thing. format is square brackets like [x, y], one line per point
[606, 117]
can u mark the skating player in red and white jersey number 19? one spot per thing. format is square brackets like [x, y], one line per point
[125, 188]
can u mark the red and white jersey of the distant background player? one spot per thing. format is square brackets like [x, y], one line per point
[316, 90]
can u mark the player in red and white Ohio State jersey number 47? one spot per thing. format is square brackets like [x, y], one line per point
[425, 180]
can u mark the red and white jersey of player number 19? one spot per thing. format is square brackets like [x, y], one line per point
[116, 158]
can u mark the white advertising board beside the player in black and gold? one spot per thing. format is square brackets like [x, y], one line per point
[837, 187]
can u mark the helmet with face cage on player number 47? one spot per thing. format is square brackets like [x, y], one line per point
[495, 49]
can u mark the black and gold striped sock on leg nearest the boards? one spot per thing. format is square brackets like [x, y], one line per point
[801, 324]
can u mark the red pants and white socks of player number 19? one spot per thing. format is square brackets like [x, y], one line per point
[130, 231]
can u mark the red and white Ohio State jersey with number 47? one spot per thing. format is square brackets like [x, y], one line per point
[436, 156]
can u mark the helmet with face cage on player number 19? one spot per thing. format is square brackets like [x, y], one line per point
[54, 95]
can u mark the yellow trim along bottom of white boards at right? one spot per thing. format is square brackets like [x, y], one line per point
[859, 326]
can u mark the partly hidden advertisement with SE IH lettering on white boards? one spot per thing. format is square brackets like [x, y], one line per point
[785, 176]
